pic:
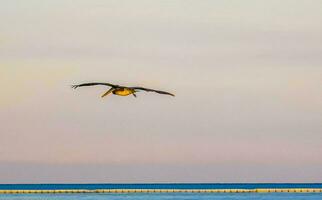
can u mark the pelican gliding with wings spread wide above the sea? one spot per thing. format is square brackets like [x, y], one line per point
[121, 90]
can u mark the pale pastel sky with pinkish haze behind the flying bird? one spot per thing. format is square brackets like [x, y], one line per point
[247, 77]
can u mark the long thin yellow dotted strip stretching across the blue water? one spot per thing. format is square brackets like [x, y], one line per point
[118, 191]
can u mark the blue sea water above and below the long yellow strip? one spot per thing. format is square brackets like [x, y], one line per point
[162, 196]
